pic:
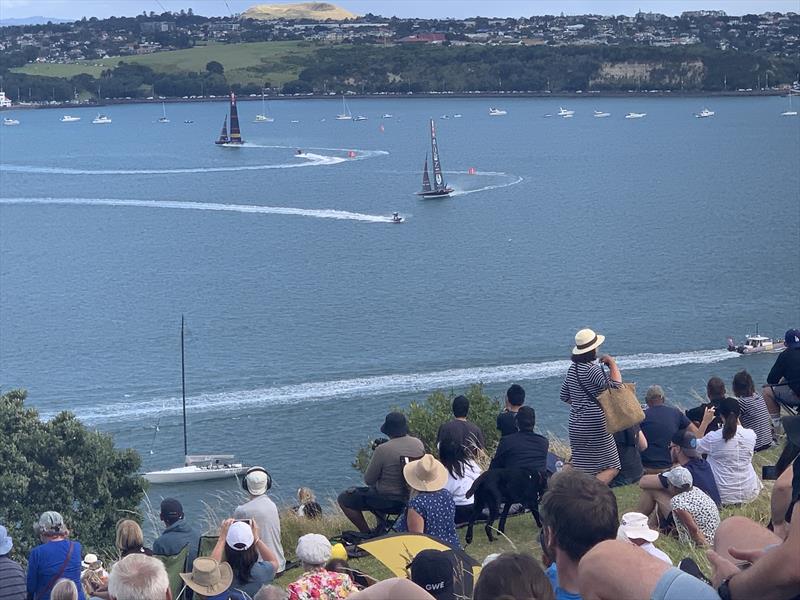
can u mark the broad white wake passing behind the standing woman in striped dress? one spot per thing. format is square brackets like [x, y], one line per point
[383, 384]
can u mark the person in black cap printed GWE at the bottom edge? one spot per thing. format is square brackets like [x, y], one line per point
[440, 573]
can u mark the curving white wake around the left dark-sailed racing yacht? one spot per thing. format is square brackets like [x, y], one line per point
[311, 160]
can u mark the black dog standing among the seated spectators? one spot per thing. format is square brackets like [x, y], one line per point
[509, 486]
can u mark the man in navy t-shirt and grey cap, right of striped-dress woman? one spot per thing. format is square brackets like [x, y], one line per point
[661, 423]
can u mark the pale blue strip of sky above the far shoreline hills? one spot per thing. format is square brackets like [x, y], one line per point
[75, 9]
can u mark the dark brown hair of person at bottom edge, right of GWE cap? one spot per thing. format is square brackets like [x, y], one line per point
[513, 576]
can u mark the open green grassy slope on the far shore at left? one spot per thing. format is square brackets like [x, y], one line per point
[276, 62]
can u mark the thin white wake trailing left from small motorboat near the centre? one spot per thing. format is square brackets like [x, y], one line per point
[319, 213]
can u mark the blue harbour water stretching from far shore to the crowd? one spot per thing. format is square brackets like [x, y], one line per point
[667, 234]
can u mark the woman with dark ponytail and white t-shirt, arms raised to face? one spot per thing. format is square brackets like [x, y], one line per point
[730, 453]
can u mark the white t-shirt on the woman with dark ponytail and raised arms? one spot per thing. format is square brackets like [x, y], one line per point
[731, 464]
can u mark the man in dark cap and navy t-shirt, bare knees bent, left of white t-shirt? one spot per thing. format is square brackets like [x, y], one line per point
[683, 450]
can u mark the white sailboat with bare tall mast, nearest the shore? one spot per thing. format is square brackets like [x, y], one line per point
[196, 467]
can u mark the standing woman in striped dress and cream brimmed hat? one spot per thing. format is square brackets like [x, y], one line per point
[593, 448]
